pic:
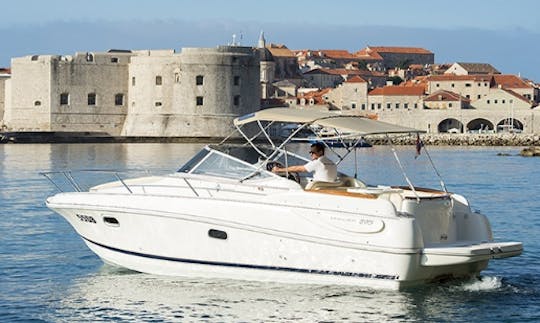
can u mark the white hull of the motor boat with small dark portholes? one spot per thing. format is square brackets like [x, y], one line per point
[170, 236]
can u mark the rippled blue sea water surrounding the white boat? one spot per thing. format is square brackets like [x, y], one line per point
[49, 275]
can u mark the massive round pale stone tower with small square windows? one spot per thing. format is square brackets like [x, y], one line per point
[193, 93]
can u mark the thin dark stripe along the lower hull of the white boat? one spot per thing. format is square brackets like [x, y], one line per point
[248, 266]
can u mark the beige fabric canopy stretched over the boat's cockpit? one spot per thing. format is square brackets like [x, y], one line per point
[345, 123]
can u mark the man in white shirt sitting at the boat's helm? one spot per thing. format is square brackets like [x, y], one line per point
[323, 169]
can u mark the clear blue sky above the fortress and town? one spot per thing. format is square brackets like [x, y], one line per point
[505, 33]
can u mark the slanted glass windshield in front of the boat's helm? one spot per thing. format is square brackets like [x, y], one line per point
[225, 164]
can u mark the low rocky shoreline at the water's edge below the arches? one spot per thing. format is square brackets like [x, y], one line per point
[505, 139]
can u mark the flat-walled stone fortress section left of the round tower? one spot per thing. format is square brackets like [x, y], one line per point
[86, 92]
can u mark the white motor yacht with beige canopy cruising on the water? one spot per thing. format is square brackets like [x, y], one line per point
[225, 214]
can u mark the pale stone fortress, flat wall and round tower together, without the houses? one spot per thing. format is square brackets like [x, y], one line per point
[161, 93]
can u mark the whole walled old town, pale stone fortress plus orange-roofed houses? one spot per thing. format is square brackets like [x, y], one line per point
[198, 91]
